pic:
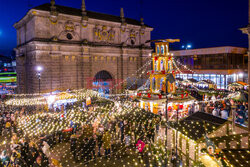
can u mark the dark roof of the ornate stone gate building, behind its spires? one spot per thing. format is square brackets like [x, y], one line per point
[90, 14]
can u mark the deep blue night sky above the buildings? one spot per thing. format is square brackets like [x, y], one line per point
[202, 23]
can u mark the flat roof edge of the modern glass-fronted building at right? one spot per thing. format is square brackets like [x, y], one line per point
[212, 50]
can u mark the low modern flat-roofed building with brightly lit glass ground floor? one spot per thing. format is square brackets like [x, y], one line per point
[222, 65]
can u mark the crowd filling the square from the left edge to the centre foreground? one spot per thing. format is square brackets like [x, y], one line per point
[88, 140]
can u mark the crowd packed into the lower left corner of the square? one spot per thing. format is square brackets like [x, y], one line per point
[18, 150]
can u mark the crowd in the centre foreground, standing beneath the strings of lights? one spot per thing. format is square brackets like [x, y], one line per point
[106, 139]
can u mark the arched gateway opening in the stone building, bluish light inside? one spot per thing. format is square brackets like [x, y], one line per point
[103, 81]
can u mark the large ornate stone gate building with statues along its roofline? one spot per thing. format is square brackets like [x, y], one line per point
[76, 47]
